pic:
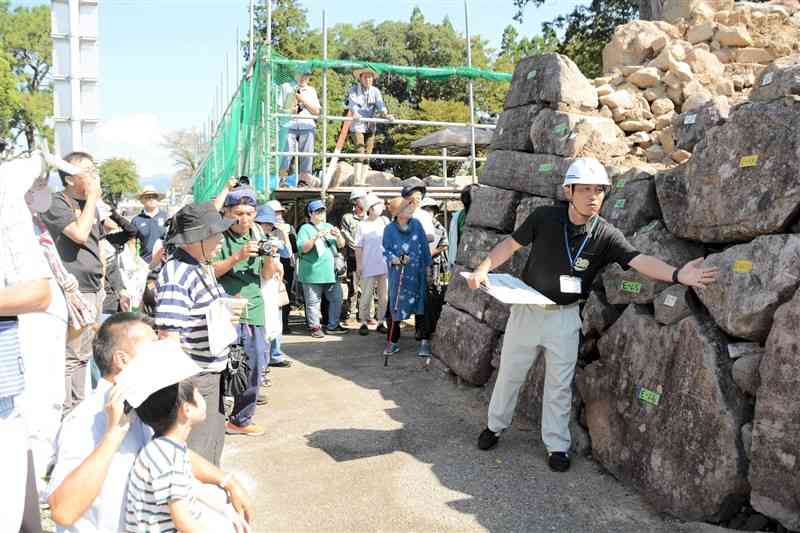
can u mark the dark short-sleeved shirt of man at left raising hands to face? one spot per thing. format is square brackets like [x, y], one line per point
[81, 260]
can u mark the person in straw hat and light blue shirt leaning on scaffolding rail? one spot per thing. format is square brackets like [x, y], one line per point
[364, 100]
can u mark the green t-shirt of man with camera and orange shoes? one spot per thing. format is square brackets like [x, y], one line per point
[244, 279]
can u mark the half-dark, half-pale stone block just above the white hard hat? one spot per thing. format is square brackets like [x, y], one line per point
[573, 135]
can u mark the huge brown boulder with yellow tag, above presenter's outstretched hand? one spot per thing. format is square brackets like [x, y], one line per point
[742, 180]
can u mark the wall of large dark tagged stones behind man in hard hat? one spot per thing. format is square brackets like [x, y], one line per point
[692, 396]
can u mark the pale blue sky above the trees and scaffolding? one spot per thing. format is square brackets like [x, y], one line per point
[161, 60]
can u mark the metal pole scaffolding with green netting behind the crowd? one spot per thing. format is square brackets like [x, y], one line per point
[247, 133]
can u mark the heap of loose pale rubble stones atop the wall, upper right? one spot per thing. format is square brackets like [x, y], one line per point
[704, 53]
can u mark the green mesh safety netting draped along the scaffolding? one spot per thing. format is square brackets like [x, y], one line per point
[248, 133]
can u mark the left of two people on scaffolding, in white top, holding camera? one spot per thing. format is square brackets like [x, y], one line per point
[300, 98]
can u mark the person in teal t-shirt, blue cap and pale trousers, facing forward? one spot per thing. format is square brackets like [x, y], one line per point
[318, 243]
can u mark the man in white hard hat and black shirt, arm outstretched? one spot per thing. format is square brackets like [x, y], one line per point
[571, 245]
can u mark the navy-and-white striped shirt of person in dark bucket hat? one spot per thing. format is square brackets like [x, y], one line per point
[184, 291]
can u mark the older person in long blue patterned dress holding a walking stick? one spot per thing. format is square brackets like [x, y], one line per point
[408, 256]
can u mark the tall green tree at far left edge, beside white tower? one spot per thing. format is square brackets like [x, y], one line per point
[26, 43]
